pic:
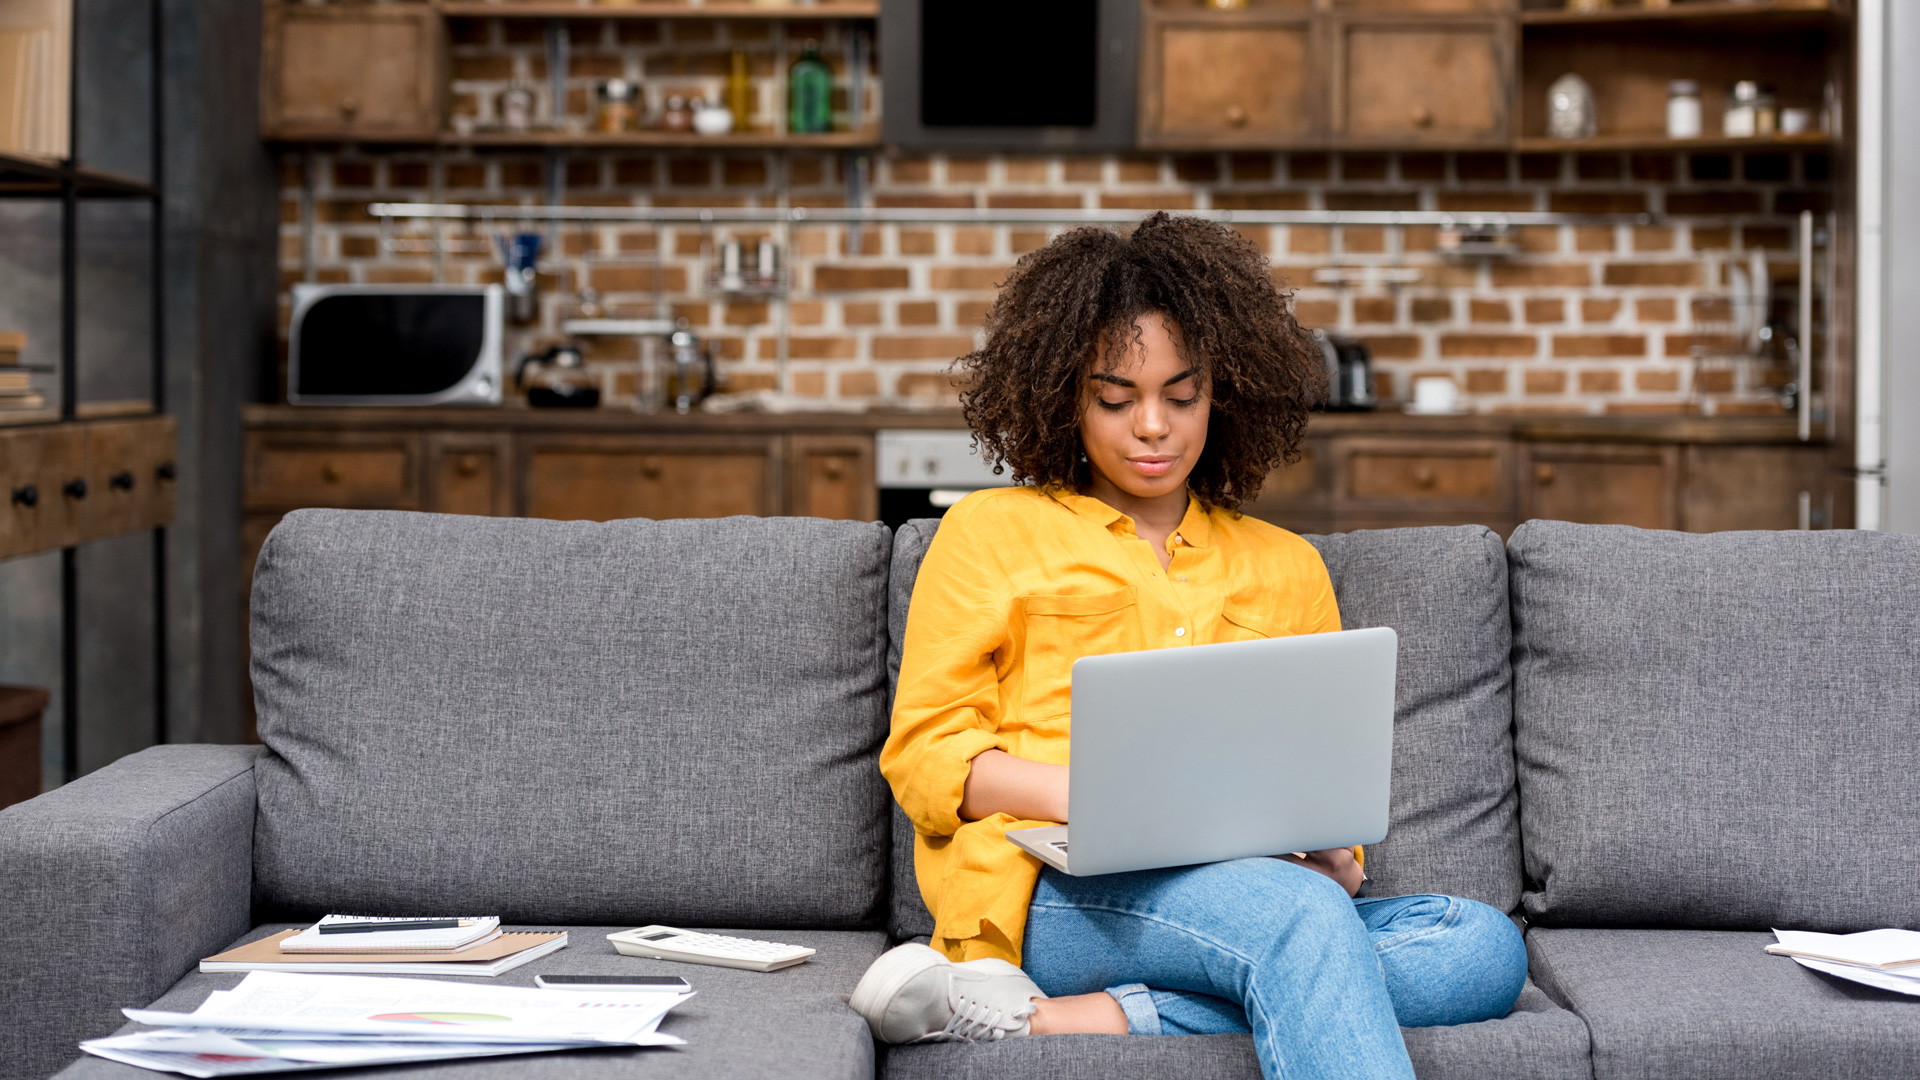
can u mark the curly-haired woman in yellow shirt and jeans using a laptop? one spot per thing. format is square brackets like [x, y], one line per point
[1140, 389]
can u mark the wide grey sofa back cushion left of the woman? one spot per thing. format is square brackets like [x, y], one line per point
[567, 722]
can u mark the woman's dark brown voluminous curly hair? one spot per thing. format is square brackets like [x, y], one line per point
[1078, 299]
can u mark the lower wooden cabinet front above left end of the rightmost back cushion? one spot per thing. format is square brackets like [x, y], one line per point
[1602, 485]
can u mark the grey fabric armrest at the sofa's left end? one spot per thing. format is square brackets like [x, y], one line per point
[112, 889]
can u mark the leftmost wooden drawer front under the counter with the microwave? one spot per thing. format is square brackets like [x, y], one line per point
[345, 472]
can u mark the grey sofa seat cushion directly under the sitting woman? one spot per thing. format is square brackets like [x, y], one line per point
[1539, 1041]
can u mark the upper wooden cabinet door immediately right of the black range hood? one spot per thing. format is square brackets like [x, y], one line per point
[1230, 82]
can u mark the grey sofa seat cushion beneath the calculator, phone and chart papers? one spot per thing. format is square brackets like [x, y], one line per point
[790, 1023]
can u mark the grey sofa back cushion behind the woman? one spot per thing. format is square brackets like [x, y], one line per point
[1445, 591]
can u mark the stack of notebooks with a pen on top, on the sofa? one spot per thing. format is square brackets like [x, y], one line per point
[352, 945]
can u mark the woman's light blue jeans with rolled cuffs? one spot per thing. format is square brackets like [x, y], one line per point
[1324, 983]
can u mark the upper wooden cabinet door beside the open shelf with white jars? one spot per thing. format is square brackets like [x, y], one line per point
[1422, 80]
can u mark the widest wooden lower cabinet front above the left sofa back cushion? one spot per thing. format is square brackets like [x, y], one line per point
[606, 479]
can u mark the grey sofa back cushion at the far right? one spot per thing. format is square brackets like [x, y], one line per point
[1717, 731]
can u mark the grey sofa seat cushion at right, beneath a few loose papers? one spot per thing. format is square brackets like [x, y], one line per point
[1712, 1004]
